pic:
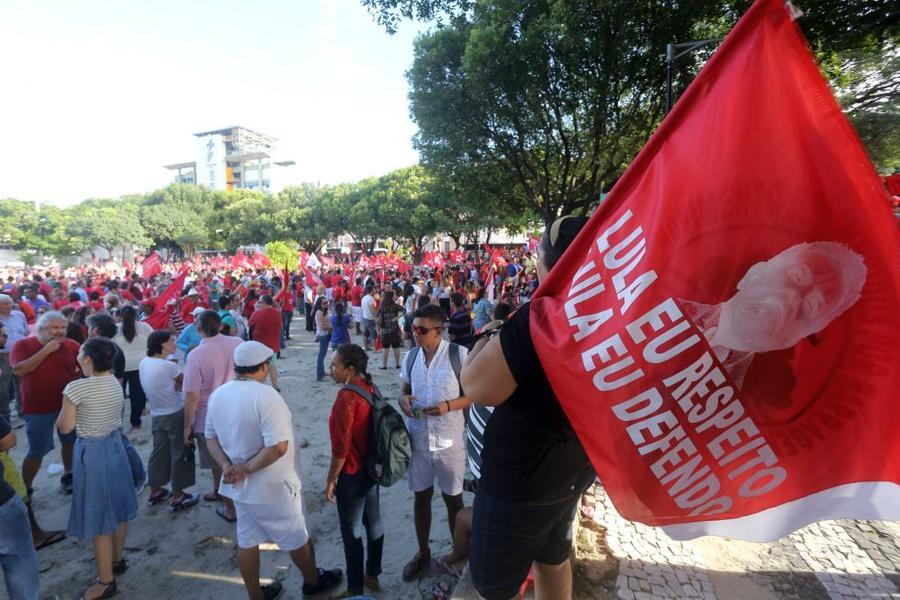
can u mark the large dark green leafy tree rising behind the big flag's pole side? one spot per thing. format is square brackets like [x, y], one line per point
[560, 95]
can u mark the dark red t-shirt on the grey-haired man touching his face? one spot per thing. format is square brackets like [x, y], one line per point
[41, 389]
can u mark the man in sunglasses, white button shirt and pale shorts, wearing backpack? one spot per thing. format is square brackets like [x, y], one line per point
[434, 404]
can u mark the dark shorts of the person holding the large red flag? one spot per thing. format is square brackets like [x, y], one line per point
[508, 536]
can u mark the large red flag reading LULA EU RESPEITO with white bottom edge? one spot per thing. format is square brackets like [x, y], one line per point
[723, 334]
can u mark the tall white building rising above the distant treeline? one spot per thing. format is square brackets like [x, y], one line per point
[235, 158]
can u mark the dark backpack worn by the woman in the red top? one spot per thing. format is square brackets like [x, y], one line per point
[390, 449]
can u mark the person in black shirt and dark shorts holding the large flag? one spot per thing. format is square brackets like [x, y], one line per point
[533, 465]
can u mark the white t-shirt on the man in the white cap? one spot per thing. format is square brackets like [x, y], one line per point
[247, 416]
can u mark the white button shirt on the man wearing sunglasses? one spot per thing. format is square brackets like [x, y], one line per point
[432, 385]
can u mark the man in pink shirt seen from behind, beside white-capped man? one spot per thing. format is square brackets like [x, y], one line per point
[208, 366]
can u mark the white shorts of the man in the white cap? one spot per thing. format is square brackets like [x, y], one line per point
[282, 522]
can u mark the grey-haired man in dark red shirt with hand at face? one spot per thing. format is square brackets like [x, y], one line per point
[45, 364]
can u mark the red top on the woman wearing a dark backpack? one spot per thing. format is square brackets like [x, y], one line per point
[348, 425]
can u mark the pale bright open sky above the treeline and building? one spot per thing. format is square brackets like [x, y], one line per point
[99, 95]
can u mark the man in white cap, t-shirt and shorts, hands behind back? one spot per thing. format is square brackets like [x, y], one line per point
[249, 433]
